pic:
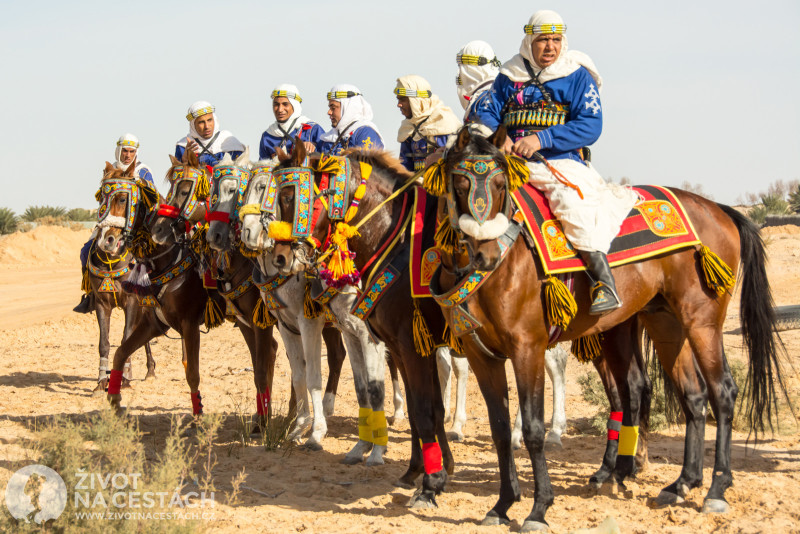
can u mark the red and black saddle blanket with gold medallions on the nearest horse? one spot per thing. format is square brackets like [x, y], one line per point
[655, 225]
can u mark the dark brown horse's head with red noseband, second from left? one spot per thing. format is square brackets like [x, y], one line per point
[185, 204]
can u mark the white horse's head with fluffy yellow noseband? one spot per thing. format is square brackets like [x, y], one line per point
[259, 208]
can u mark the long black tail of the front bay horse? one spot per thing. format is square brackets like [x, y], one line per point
[757, 316]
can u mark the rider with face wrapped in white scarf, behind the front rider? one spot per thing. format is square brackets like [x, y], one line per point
[477, 69]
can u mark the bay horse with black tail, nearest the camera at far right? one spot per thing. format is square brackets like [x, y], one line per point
[680, 297]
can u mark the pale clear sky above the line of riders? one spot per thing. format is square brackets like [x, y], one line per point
[693, 91]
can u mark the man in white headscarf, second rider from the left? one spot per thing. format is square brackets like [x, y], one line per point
[205, 138]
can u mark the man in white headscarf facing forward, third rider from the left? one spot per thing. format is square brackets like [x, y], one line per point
[289, 123]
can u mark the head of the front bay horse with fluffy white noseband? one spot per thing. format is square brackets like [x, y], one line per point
[477, 190]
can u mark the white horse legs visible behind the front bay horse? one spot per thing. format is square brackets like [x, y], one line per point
[555, 363]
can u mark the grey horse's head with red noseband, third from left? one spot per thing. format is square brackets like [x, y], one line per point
[228, 183]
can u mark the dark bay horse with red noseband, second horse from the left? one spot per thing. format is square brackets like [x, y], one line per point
[167, 276]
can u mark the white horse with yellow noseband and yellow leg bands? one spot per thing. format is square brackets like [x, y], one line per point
[302, 339]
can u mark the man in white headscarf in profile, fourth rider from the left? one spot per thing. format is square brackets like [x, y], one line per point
[351, 121]
